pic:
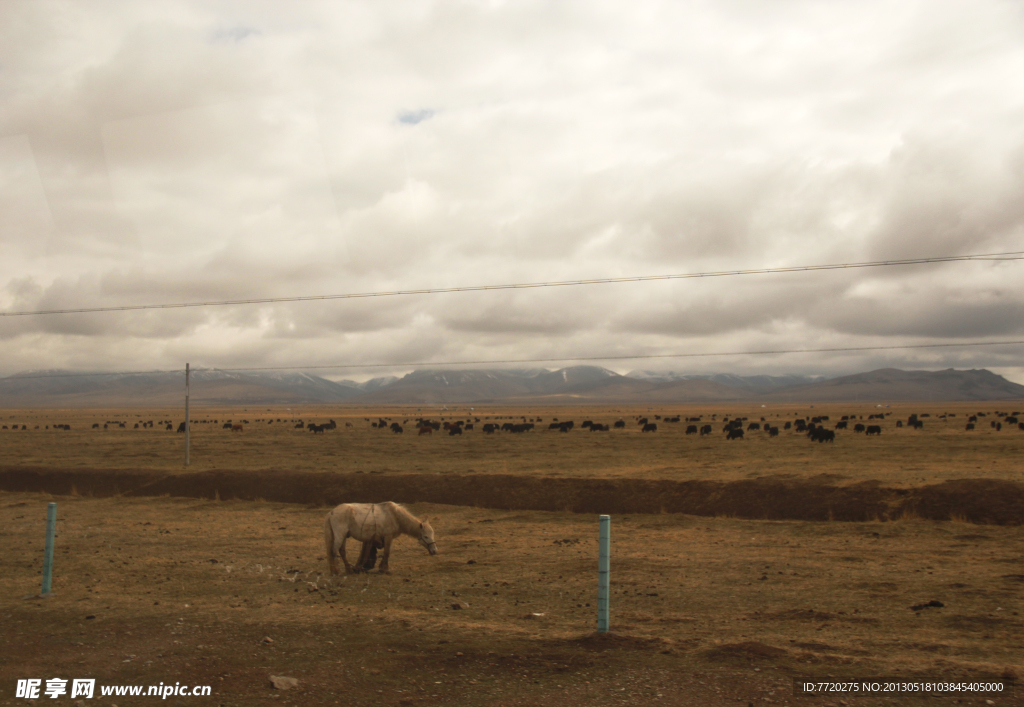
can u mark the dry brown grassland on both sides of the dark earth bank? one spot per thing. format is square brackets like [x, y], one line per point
[706, 610]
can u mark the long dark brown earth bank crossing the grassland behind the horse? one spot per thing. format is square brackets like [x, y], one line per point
[973, 501]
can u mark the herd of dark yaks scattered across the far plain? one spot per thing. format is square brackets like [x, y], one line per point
[815, 428]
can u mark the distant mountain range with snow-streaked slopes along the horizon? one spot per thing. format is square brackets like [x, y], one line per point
[577, 385]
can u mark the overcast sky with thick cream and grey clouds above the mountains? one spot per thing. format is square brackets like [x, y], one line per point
[170, 151]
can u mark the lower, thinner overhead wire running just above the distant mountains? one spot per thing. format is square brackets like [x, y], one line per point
[539, 361]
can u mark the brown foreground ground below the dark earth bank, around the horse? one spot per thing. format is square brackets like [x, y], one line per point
[705, 611]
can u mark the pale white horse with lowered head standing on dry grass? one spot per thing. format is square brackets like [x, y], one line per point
[375, 525]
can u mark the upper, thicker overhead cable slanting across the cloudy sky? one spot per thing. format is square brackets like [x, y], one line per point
[1015, 256]
